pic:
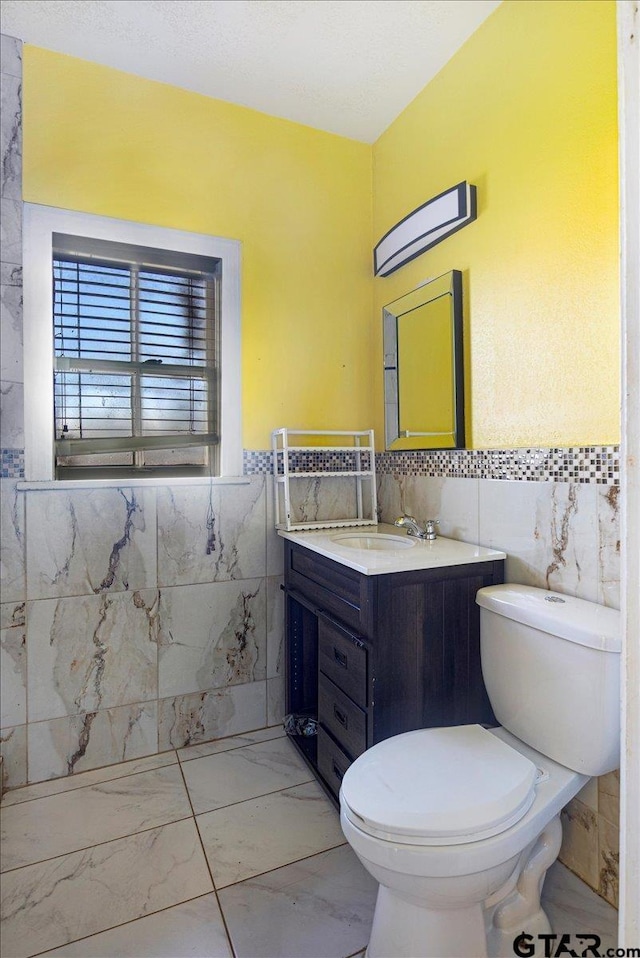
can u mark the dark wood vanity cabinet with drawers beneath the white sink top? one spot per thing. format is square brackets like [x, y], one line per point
[371, 656]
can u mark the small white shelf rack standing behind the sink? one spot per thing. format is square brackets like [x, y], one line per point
[324, 486]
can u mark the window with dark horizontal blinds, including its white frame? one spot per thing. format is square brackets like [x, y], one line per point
[142, 349]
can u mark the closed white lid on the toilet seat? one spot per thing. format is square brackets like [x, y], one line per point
[439, 786]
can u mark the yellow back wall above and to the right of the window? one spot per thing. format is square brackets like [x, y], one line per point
[106, 142]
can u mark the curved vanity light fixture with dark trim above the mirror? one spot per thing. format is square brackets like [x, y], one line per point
[423, 228]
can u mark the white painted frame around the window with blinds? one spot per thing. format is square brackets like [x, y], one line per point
[39, 225]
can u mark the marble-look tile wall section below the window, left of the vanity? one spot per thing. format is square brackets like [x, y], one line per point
[136, 620]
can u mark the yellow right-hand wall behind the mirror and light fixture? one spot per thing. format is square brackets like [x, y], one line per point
[526, 110]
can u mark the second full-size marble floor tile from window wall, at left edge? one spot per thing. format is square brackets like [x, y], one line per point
[52, 903]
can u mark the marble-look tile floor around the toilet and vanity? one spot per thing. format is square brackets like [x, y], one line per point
[223, 849]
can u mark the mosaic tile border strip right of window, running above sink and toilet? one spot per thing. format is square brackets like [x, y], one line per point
[580, 464]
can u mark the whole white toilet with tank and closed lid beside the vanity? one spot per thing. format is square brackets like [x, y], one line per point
[459, 825]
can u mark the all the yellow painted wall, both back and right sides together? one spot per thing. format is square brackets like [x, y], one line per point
[526, 110]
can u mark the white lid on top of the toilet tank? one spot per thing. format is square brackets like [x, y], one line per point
[566, 616]
